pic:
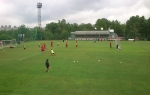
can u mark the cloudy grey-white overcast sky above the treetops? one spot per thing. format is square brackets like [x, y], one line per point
[17, 12]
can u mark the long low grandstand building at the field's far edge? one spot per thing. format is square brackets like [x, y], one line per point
[95, 35]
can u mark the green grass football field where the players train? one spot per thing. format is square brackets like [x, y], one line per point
[119, 72]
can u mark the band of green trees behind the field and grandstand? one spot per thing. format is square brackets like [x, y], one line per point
[134, 27]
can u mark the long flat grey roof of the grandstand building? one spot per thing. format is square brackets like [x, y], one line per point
[90, 32]
